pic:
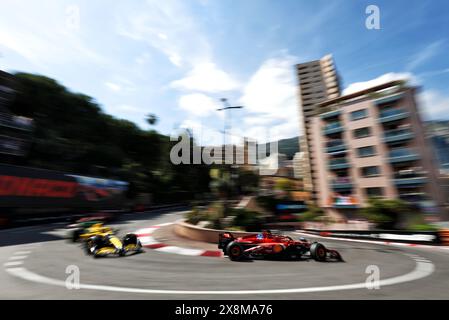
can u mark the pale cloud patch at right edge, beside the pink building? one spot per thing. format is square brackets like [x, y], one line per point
[434, 105]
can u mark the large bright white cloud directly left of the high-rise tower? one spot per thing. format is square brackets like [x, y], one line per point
[271, 98]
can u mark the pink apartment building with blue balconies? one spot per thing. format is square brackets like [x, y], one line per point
[372, 143]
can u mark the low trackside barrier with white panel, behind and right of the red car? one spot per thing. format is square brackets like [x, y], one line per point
[418, 237]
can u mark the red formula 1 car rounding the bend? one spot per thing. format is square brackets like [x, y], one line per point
[268, 244]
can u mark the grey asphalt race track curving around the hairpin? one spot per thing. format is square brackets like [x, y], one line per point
[38, 263]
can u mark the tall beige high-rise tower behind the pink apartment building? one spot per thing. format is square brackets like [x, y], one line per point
[318, 82]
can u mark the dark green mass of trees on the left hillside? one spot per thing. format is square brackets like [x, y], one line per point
[73, 134]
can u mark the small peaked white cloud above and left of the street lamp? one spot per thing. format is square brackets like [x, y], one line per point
[206, 77]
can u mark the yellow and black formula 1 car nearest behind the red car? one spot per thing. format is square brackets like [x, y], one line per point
[107, 243]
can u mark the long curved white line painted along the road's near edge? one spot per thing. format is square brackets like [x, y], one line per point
[422, 270]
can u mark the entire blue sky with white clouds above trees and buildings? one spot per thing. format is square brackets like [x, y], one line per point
[178, 58]
